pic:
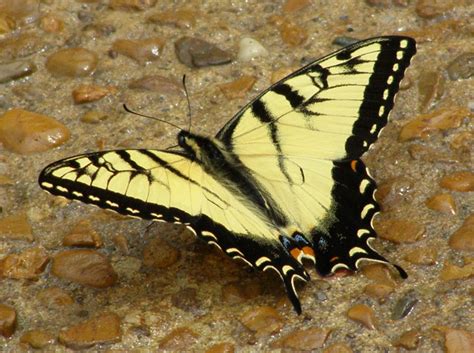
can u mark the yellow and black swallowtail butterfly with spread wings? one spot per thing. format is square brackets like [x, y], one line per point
[282, 181]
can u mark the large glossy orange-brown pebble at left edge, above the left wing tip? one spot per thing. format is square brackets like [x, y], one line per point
[25, 132]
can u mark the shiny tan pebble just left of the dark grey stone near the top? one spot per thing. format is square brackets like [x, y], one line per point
[140, 50]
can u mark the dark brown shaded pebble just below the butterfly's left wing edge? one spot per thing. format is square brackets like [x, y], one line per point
[159, 254]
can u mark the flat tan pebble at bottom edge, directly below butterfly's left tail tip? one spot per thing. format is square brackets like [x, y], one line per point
[303, 339]
